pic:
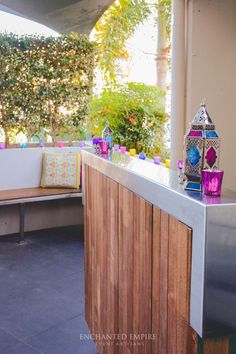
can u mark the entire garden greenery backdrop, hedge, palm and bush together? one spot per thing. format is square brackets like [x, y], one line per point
[65, 87]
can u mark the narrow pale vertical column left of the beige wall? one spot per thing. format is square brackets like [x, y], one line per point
[178, 77]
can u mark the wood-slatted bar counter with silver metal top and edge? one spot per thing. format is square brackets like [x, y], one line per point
[160, 265]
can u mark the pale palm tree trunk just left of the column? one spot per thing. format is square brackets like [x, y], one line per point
[162, 49]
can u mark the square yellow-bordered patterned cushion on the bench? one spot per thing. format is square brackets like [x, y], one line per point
[61, 170]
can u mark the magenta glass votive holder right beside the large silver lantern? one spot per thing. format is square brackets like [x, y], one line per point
[212, 182]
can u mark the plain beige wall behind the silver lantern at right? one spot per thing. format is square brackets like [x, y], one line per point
[211, 72]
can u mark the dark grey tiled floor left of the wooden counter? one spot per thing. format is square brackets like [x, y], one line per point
[42, 294]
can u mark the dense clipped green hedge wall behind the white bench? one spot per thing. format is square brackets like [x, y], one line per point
[45, 82]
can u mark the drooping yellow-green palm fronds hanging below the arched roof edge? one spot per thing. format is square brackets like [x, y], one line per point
[113, 29]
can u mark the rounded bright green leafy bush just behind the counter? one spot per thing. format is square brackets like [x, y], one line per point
[136, 115]
